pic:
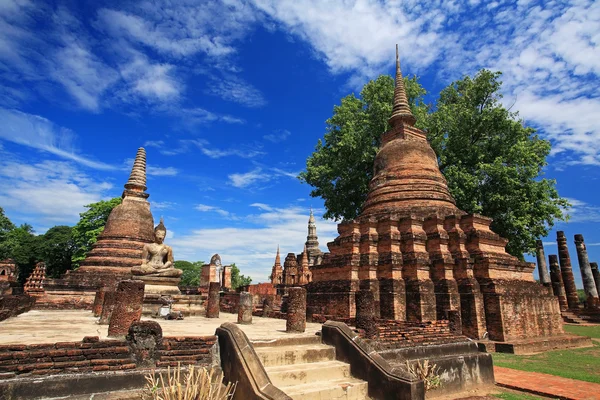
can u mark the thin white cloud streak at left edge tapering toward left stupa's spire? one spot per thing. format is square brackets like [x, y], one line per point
[41, 134]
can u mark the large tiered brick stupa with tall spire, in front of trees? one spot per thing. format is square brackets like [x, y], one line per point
[422, 257]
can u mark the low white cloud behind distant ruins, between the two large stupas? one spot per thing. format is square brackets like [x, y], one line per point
[253, 248]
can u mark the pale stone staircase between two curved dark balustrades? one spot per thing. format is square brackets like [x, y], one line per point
[304, 369]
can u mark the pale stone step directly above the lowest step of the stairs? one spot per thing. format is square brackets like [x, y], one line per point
[298, 374]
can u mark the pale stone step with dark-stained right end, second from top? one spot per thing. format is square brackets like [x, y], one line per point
[301, 354]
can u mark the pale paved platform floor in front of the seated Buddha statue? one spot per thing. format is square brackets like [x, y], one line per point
[50, 326]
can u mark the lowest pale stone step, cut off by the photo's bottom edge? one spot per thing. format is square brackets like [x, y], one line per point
[346, 389]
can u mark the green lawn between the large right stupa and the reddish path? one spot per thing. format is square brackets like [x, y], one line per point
[580, 364]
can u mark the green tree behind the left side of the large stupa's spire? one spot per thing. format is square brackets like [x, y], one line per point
[341, 167]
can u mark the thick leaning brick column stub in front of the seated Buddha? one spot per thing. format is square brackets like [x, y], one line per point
[128, 307]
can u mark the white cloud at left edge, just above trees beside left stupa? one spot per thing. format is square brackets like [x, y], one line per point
[49, 192]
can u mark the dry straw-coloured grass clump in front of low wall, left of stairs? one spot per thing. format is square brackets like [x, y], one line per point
[196, 384]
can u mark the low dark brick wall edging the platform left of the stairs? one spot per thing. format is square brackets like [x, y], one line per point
[92, 355]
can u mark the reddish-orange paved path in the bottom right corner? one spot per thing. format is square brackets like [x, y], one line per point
[546, 385]
